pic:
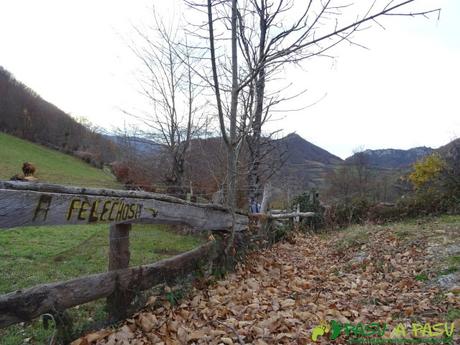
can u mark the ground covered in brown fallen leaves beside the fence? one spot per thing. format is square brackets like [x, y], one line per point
[387, 274]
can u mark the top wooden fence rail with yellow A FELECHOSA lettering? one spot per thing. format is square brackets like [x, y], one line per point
[23, 203]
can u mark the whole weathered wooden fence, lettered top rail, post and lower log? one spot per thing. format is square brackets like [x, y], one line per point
[35, 204]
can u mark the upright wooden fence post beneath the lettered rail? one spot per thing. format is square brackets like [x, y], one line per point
[119, 301]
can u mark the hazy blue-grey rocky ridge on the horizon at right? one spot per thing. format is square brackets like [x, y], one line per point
[393, 158]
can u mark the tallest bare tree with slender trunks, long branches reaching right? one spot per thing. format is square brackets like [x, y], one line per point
[269, 34]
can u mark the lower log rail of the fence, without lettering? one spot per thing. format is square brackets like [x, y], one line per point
[24, 305]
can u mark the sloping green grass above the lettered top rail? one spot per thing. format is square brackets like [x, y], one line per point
[52, 166]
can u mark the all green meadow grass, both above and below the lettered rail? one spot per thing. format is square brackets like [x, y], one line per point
[35, 255]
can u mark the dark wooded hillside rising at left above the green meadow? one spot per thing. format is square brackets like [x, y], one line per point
[23, 113]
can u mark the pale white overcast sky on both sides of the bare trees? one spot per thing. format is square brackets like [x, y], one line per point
[400, 92]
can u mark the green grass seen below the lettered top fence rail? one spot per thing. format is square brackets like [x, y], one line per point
[35, 255]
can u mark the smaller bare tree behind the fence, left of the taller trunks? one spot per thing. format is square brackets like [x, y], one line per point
[168, 83]
